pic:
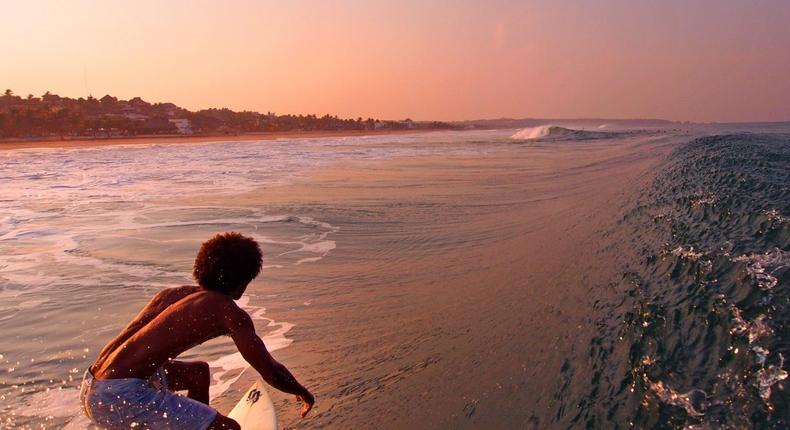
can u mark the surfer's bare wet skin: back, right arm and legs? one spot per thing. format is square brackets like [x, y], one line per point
[177, 319]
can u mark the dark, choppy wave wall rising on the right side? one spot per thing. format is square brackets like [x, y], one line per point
[701, 338]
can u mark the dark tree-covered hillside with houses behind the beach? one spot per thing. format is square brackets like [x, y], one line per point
[51, 115]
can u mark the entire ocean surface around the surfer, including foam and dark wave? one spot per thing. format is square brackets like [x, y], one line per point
[682, 317]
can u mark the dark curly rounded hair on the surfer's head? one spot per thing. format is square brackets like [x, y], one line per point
[227, 261]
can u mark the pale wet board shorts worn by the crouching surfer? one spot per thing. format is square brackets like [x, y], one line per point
[133, 403]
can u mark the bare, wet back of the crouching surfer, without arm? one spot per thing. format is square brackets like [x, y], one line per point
[174, 321]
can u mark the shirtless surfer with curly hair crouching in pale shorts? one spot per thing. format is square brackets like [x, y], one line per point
[133, 381]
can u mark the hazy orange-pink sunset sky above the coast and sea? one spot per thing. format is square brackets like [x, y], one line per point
[700, 60]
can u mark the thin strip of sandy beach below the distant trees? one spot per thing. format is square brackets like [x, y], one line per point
[81, 142]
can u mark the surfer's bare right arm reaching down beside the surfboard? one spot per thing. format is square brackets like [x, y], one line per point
[242, 330]
